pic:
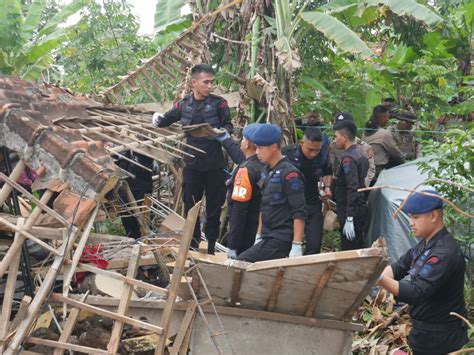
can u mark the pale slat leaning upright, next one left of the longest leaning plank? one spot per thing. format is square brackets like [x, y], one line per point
[117, 329]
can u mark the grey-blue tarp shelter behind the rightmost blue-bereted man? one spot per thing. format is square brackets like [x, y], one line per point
[384, 202]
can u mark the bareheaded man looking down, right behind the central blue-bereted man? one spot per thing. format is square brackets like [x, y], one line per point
[311, 157]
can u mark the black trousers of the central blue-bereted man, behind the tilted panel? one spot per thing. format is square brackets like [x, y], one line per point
[267, 249]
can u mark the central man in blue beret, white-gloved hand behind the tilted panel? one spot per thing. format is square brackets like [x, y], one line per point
[282, 211]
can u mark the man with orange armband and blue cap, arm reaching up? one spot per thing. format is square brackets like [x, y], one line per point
[244, 193]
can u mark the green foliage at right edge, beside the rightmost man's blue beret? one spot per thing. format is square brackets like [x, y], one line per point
[453, 160]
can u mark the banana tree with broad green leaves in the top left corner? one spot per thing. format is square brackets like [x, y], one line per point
[27, 46]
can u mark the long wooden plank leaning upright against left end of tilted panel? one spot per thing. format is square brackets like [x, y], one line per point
[178, 271]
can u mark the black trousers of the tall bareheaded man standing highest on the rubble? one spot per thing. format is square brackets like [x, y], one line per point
[211, 182]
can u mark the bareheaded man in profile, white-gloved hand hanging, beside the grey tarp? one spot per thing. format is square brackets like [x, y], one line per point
[351, 205]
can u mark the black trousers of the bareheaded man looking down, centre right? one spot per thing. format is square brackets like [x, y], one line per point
[313, 229]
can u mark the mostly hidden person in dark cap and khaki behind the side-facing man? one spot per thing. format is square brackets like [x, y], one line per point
[335, 154]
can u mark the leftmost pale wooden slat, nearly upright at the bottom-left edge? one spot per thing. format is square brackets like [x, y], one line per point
[9, 292]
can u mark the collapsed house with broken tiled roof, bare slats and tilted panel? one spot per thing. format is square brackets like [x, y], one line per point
[89, 291]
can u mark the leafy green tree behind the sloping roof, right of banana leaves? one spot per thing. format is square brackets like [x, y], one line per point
[106, 46]
